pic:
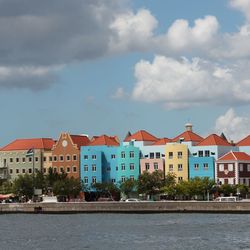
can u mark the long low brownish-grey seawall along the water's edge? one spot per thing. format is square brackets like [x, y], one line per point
[128, 207]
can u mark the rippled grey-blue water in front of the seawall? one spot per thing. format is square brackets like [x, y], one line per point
[125, 231]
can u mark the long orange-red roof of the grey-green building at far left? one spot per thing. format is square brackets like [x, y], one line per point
[26, 144]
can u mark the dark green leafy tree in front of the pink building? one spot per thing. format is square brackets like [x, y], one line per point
[150, 183]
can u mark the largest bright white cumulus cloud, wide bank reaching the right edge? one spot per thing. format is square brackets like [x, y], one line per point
[184, 83]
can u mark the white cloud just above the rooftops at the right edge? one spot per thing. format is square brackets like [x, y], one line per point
[233, 126]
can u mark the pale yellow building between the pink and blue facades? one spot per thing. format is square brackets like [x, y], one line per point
[176, 160]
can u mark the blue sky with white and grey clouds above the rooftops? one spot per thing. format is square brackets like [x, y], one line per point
[108, 67]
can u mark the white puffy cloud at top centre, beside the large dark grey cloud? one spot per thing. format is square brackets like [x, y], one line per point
[132, 31]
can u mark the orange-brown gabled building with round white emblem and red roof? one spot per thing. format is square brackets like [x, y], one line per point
[66, 154]
